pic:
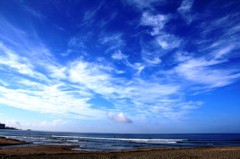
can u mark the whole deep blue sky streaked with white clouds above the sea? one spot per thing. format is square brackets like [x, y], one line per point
[127, 66]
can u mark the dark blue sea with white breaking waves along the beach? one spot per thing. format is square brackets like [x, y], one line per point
[101, 141]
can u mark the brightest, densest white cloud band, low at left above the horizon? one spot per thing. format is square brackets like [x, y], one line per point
[48, 100]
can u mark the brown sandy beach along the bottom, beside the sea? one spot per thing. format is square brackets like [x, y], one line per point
[63, 152]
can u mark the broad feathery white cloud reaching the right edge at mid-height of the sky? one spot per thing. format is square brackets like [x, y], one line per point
[202, 71]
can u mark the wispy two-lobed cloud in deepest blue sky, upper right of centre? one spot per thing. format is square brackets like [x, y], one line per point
[161, 39]
